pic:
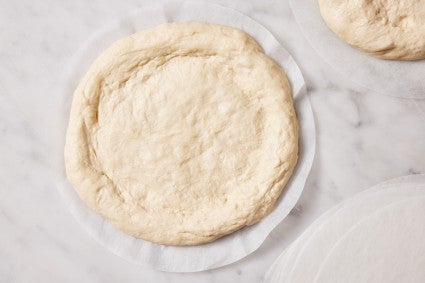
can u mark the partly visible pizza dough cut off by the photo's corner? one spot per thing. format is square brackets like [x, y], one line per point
[386, 29]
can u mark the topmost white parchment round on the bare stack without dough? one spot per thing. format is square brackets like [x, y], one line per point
[388, 246]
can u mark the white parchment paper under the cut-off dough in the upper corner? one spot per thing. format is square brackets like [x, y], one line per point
[389, 77]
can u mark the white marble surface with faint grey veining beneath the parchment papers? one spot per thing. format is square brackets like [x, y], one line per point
[363, 138]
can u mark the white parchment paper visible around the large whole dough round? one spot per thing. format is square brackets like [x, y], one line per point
[229, 248]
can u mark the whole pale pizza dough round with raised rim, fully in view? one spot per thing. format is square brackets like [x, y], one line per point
[182, 133]
